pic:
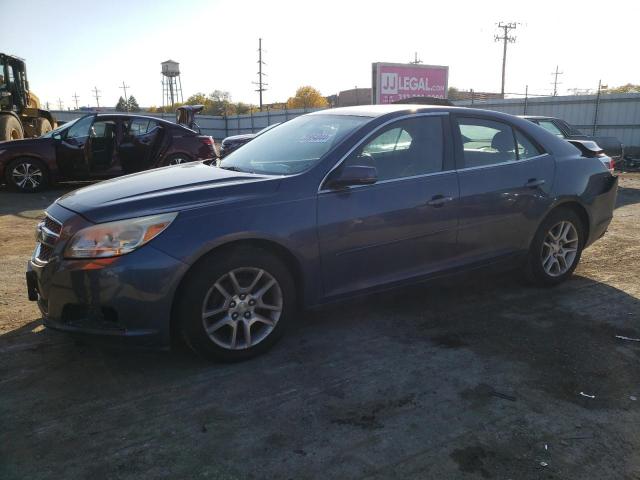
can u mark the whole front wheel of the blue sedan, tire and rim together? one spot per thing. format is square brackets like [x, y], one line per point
[236, 304]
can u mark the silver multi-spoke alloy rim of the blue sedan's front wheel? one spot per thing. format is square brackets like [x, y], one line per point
[242, 308]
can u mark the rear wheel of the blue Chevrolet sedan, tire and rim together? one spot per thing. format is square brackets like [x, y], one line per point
[556, 248]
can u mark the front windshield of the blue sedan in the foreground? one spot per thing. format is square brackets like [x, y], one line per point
[294, 146]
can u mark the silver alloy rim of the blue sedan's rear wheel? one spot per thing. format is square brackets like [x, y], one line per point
[559, 249]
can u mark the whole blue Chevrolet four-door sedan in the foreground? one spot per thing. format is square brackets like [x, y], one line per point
[327, 205]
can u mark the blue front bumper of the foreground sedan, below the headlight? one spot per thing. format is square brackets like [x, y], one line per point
[127, 299]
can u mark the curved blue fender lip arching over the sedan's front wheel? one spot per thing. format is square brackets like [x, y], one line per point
[272, 247]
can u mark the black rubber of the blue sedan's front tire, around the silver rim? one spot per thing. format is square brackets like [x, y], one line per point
[190, 303]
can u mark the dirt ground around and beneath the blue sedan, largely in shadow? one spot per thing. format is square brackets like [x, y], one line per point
[477, 378]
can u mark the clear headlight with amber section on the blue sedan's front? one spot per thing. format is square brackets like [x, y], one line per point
[117, 238]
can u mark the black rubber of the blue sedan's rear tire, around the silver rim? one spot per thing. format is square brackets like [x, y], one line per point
[534, 270]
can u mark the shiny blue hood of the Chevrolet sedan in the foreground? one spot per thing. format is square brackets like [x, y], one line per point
[168, 189]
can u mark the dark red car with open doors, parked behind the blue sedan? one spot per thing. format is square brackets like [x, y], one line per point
[100, 146]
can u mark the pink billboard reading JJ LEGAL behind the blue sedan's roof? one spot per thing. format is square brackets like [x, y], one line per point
[399, 81]
